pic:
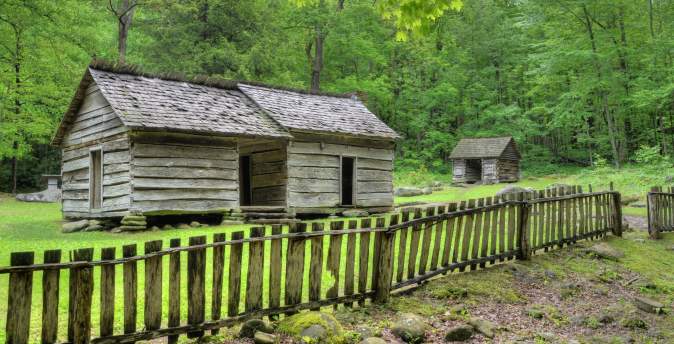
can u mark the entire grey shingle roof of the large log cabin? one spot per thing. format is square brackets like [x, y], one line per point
[146, 102]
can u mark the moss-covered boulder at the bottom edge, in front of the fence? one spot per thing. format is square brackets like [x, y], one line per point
[320, 327]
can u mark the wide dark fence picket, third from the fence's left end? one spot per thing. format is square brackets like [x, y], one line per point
[83, 284]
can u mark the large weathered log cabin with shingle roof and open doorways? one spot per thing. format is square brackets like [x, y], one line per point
[137, 144]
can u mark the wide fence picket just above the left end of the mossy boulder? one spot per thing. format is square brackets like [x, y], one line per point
[295, 266]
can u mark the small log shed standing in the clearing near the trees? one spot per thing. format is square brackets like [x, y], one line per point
[488, 160]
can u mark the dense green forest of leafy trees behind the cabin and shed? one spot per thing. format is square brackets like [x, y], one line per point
[575, 82]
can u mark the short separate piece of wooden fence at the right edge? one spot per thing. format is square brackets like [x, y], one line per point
[660, 211]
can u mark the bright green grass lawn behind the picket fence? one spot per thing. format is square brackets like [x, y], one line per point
[36, 227]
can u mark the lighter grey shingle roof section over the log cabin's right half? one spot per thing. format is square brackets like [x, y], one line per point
[303, 111]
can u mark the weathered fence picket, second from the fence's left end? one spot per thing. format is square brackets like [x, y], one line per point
[50, 298]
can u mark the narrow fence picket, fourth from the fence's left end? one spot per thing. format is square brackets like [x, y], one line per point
[107, 294]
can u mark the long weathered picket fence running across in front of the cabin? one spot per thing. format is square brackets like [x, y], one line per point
[282, 270]
